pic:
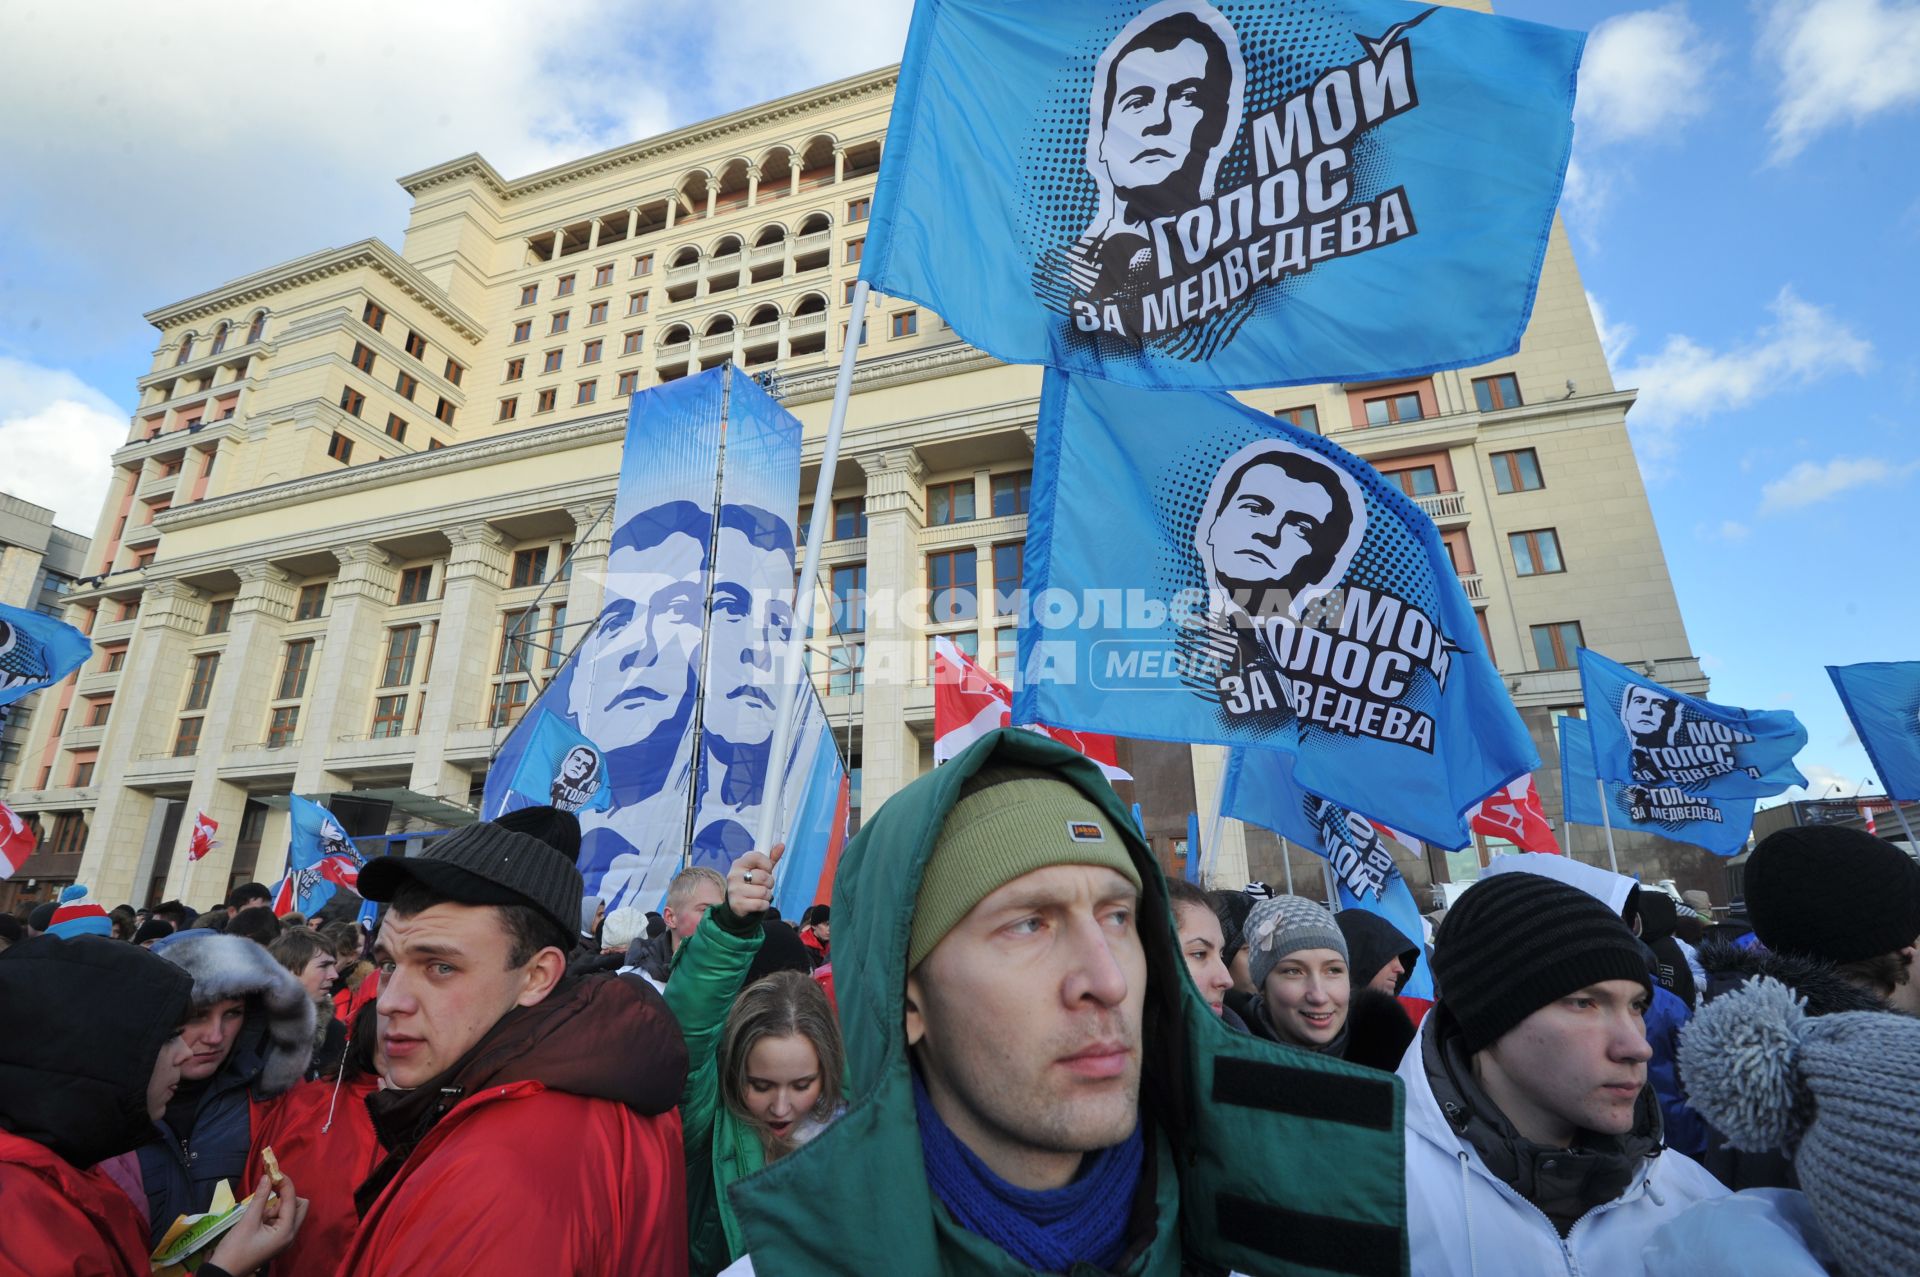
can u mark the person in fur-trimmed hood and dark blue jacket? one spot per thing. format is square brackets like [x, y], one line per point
[251, 1034]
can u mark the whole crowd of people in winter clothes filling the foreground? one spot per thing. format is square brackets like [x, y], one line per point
[1020, 1051]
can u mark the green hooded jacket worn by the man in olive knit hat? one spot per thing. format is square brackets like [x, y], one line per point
[1272, 1161]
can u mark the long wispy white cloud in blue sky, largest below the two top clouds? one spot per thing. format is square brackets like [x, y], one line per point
[1687, 381]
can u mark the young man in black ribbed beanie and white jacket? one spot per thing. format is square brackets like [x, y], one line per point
[1535, 1144]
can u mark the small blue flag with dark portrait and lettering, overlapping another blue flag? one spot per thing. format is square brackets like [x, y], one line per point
[1654, 736]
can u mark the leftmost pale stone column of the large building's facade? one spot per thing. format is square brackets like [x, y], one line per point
[120, 844]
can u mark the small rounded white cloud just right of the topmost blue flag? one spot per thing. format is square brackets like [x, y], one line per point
[1643, 76]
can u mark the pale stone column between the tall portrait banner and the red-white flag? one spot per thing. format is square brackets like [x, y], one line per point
[896, 619]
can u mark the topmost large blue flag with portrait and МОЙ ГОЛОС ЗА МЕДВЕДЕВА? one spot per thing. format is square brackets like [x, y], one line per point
[1224, 195]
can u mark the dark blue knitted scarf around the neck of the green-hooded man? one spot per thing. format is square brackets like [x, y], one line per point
[1047, 1230]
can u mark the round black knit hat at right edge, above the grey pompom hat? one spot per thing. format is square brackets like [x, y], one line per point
[1833, 894]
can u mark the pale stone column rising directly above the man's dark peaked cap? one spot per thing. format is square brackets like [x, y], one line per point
[469, 621]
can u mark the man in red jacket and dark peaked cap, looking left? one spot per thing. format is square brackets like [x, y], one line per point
[531, 1122]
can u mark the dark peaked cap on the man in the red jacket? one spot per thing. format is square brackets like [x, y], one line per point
[491, 863]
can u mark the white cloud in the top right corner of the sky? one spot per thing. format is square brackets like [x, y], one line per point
[1838, 62]
